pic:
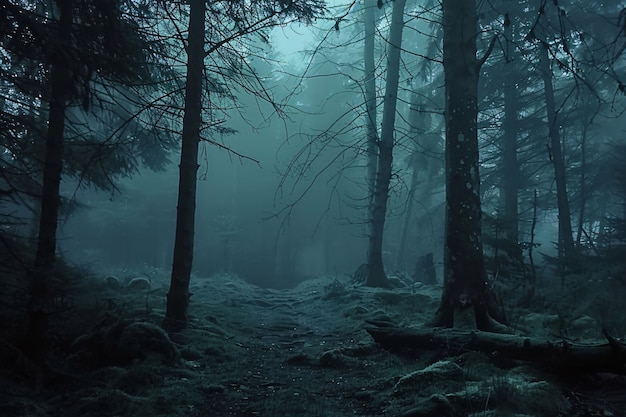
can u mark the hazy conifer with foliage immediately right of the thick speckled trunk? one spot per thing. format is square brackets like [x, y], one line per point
[505, 144]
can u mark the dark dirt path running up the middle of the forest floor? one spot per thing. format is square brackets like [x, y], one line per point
[287, 350]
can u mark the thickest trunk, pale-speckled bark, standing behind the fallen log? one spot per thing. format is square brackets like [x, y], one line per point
[464, 298]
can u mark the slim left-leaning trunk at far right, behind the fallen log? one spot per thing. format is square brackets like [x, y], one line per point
[566, 239]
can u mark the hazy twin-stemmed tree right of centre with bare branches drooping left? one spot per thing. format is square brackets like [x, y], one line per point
[354, 139]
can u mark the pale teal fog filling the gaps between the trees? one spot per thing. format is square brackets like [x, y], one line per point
[281, 199]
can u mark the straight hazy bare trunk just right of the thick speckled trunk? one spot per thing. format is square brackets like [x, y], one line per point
[510, 165]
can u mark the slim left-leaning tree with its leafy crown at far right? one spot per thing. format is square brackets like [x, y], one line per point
[574, 52]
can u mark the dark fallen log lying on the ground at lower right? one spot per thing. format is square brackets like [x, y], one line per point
[557, 355]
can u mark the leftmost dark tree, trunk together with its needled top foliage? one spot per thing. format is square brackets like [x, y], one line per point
[73, 43]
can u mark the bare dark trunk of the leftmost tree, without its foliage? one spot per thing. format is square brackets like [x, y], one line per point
[43, 271]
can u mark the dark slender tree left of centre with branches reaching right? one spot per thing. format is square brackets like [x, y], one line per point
[235, 70]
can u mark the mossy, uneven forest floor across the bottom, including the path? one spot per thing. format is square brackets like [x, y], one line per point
[255, 352]
